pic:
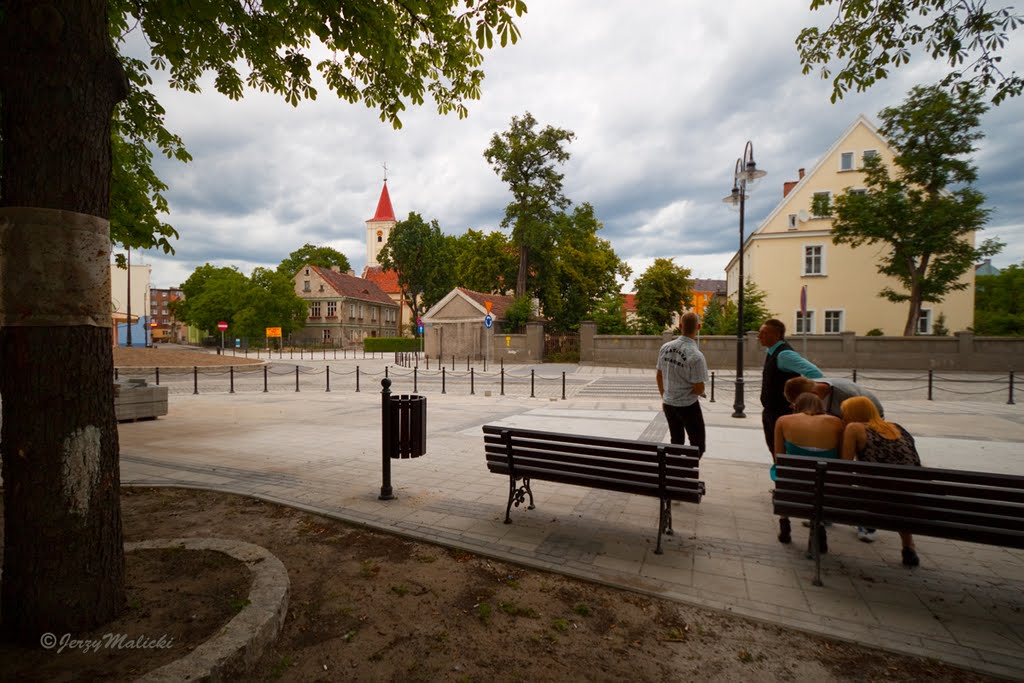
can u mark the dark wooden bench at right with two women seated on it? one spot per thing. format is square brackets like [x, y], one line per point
[977, 507]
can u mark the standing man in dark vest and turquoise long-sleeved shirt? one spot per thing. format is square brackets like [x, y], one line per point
[782, 365]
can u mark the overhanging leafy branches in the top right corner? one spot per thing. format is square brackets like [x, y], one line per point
[870, 38]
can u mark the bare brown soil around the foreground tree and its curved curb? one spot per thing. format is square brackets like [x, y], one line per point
[370, 607]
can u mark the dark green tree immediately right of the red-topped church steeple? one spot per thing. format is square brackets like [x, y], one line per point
[422, 257]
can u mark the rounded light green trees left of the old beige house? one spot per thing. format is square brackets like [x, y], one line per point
[249, 306]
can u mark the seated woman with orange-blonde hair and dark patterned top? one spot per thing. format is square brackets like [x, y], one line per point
[870, 439]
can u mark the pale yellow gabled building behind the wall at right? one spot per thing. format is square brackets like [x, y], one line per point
[793, 248]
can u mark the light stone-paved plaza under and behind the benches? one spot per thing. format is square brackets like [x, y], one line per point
[321, 452]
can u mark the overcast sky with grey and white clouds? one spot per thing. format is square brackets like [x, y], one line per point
[662, 97]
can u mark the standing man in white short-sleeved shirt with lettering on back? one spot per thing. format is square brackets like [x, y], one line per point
[682, 372]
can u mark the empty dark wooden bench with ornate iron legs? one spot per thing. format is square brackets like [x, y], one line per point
[664, 472]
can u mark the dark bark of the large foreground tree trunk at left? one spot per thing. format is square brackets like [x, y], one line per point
[64, 557]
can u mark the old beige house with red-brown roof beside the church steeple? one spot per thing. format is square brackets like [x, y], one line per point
[344, 310]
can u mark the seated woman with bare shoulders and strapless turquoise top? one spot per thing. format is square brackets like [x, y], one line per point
[807, 432]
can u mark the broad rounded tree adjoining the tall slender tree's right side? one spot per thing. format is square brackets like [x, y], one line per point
[579, 271]
